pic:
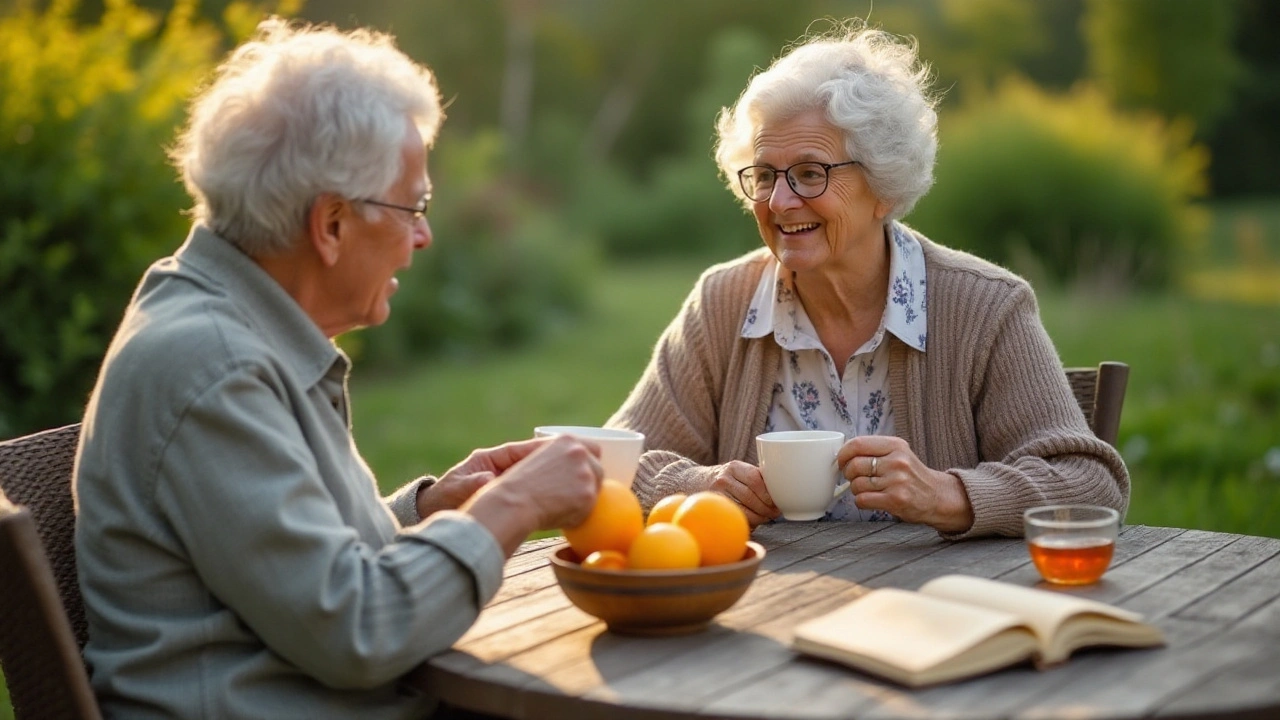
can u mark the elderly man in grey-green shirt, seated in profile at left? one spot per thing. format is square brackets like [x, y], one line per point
[235, 555]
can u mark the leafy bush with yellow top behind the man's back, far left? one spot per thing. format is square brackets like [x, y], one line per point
[88, 198]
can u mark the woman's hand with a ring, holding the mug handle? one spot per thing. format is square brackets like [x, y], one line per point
[885, 475]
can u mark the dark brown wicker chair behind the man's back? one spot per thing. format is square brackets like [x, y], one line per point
[43, 626]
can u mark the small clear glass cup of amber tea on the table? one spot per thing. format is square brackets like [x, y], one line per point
[1072, 545]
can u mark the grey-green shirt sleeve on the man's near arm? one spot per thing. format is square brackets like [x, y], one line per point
[240, 486]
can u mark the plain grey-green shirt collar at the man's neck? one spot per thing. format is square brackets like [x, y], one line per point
[273, 312]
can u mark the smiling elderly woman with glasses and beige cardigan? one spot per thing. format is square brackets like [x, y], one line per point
[934, 363]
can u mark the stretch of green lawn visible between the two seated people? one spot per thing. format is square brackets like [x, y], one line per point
[431, 418]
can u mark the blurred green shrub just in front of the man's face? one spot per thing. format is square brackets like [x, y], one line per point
[500, 274]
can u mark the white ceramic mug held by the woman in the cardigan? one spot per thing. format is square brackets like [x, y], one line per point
[801, 471]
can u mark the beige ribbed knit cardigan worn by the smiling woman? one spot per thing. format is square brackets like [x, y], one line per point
[988, 402]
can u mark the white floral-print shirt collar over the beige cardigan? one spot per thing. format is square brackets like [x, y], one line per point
[906, 308]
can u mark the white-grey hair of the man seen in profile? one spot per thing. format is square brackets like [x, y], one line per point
[296, 112]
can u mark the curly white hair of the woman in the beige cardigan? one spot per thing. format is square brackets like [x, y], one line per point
[872, 86]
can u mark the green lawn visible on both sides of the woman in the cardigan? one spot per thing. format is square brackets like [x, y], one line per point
[1200, 420]
